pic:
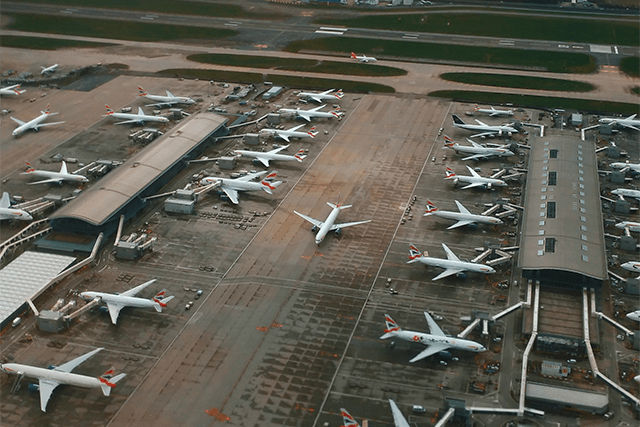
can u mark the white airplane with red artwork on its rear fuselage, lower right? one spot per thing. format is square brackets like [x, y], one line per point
[436, 340]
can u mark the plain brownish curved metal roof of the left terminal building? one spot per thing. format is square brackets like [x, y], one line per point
[99, 202]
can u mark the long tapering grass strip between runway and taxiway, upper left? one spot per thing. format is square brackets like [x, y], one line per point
[113, 29]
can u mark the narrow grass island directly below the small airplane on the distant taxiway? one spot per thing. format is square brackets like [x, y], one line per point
[293, 64]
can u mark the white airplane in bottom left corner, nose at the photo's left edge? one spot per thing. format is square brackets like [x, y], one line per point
[49, 379]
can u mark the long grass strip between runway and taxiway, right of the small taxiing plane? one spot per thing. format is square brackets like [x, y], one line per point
[556, 62]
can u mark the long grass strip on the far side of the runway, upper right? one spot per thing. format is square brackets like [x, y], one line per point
[578, 29]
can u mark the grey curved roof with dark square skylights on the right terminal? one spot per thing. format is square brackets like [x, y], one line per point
[562, 223]
